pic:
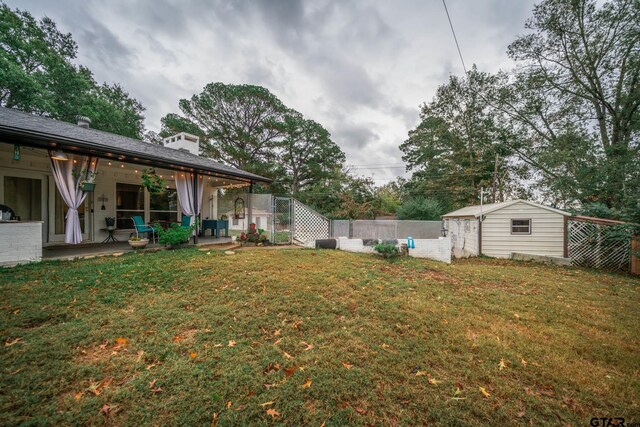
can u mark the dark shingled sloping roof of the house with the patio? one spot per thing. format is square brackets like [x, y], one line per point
[26, 129]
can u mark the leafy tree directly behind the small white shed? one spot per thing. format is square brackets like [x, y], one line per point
[458, 147]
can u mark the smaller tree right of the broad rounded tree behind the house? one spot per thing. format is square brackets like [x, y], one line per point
[307, 153]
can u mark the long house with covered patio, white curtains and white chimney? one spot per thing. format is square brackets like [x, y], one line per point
[40, 160]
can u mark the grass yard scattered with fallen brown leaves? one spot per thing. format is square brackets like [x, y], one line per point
[311, 337]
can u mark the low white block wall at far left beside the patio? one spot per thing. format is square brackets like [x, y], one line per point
[21, 242]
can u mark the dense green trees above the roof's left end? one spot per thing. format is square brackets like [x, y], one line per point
[37, 75]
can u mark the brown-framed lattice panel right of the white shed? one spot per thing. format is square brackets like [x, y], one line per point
[591, 245]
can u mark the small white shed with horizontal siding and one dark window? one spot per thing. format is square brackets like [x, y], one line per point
[500, 229]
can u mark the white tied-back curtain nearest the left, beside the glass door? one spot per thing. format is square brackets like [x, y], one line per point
[66, 174]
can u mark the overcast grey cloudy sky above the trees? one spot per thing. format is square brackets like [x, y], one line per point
[360, 68]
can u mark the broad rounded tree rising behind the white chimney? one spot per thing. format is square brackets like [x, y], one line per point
[239, 123]
